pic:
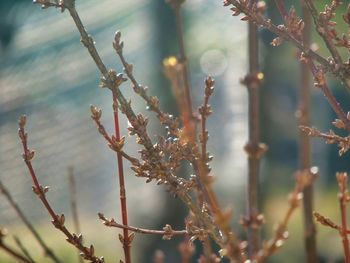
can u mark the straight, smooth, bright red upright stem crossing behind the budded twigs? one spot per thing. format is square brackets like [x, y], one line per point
[122, 191]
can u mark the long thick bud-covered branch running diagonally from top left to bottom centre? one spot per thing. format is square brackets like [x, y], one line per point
[154, 160]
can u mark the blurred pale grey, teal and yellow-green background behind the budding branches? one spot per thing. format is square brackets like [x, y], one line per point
[48, 75]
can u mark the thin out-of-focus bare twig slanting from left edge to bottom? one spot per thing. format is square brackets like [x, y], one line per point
[48, 251]
